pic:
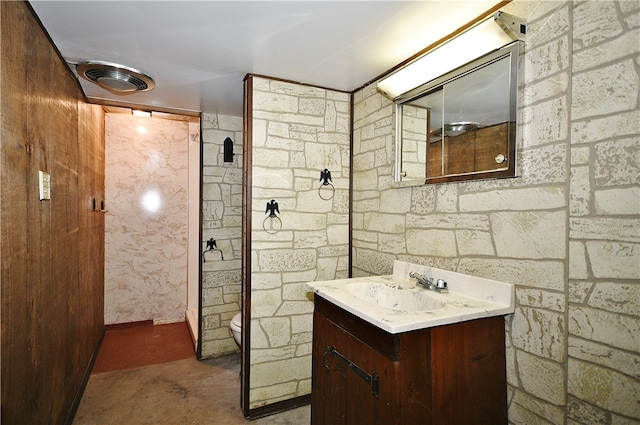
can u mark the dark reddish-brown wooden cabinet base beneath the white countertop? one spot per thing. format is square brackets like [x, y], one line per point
[446, 375]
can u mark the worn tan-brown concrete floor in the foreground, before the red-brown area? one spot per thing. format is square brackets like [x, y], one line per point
[176, 393]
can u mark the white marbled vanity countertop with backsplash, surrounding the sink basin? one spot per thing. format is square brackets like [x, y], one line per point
[469, 298]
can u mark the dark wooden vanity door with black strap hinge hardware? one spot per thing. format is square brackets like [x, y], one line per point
[352, 382]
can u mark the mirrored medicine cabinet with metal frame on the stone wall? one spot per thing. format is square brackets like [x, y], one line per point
[462, 125]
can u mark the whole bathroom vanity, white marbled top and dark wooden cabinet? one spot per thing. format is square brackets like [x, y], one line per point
[385, 352]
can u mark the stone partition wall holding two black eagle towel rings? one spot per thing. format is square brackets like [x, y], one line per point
[297, 132]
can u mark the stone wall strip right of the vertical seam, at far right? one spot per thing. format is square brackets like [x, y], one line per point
[603, 293]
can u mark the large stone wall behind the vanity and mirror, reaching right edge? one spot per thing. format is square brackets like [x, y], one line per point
[565, 231]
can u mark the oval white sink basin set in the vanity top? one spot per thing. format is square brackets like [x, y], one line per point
[395, 297]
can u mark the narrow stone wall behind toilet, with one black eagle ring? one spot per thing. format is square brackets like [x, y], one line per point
[222, 221]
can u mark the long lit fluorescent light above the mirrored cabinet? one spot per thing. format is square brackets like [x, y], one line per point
[475, 42]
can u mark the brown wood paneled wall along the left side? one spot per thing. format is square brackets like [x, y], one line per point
[51, 252]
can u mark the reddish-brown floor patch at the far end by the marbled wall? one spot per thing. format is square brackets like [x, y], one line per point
[139, 344]
